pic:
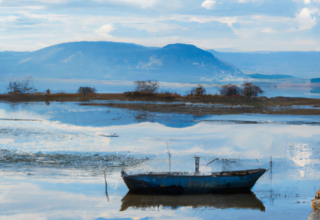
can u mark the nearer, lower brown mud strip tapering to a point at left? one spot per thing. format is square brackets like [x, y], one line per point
[202, 110]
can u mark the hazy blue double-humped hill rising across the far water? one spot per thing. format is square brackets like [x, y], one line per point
[117, 61]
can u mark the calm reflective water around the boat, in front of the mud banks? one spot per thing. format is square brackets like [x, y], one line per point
[63, 161]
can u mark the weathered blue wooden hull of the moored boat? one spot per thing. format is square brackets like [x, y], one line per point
[224, 182]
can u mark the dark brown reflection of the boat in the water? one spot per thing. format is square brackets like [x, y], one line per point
[219, 201]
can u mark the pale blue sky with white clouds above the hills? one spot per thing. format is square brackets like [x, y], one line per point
[224, 25]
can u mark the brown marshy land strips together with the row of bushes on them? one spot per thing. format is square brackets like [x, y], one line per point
[233, 99]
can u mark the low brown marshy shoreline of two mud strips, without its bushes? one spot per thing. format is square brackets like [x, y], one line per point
[175, 103]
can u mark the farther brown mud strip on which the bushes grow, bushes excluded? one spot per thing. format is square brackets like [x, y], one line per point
[164, 97]
